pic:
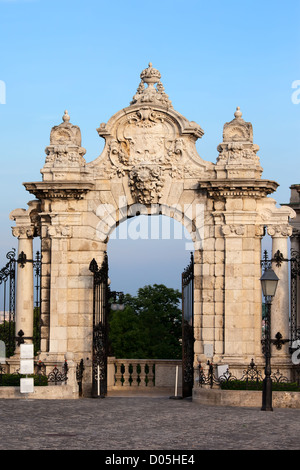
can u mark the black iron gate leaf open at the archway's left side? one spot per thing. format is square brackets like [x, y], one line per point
[100, 327]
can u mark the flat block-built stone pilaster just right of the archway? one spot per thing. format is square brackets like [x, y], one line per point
[242, 303]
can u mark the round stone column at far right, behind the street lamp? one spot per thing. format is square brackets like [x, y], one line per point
[280, 303]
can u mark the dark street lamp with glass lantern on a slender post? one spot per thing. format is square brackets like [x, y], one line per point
[269, 282]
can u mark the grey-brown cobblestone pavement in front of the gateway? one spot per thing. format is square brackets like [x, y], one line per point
[143, 423]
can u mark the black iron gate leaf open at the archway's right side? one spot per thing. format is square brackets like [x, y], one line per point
[188, 329]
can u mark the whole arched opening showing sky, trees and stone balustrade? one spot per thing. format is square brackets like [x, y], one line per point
[147, 255]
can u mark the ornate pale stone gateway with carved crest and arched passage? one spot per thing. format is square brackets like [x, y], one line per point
[150, 165]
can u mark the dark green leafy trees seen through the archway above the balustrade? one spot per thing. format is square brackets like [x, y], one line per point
[150, 325]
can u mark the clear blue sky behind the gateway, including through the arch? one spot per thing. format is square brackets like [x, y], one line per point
[86, 56]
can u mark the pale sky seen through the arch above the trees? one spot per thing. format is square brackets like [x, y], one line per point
[148, 250]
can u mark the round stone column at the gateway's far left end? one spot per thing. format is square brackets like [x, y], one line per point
[25, 284]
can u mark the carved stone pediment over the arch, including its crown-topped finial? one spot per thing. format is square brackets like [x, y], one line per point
[149, 143]
